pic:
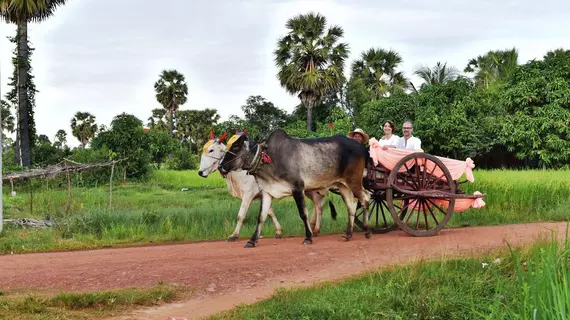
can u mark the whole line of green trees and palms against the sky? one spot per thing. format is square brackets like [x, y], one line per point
[502, 113]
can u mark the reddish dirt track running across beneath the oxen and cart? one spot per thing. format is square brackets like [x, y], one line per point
[226, 274]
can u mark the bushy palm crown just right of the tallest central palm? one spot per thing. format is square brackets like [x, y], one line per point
[377, 69]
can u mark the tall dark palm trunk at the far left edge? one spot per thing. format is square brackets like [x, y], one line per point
[23, 93]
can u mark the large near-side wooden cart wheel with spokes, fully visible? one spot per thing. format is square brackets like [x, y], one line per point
[420, 172]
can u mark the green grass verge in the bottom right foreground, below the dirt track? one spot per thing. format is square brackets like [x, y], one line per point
[526, 283]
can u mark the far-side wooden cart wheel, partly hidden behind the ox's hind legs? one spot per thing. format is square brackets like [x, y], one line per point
[379, 217]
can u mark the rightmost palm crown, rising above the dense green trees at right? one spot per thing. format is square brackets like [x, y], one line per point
[493, 66]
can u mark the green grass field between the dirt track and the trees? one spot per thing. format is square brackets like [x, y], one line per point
[159, 211]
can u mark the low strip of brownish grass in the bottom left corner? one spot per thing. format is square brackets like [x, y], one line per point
[90, 305]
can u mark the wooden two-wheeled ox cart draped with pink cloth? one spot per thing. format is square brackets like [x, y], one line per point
[414, 191]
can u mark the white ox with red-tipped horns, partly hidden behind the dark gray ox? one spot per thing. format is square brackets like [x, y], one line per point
[244, 187]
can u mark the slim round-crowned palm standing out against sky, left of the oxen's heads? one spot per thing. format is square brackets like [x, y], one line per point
[172, 92]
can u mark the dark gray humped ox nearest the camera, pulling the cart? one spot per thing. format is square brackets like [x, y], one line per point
[297, 166]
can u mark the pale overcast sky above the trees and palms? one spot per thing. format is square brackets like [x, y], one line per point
[103, 56]
